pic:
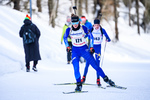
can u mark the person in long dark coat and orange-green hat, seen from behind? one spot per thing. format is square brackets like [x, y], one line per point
[30, 34]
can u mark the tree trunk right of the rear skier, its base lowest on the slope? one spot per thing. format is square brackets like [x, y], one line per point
[116, 20]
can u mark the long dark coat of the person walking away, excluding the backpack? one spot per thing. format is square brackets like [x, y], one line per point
[32, 52]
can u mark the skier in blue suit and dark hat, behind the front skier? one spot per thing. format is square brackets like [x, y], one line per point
[97, 32]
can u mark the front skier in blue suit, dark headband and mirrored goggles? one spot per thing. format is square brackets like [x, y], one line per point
[78, 36]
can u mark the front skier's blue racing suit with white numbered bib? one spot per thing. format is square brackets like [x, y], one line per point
[80, 48]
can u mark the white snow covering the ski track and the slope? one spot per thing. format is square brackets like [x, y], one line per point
[127, 63]
